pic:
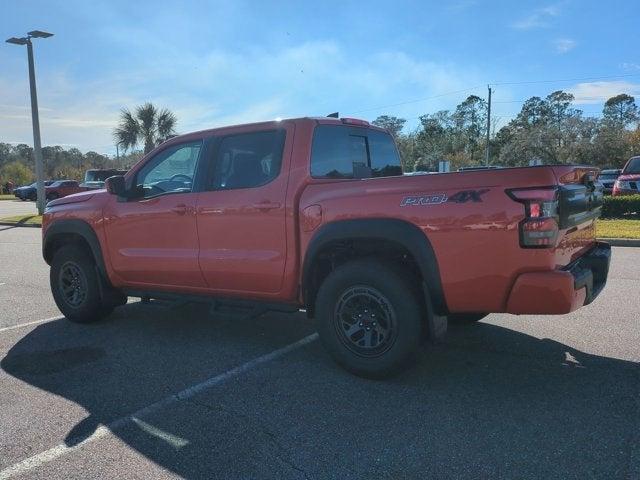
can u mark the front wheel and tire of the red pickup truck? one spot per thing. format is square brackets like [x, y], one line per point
[75, 285]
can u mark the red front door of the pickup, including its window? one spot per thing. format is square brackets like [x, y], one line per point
[152, 238]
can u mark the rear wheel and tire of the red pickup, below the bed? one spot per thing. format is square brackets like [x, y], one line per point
[369, 317]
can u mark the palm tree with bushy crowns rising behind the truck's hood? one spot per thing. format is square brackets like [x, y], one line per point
[149, 126]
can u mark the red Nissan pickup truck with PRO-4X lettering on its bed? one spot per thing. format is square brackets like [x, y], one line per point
[316, 214]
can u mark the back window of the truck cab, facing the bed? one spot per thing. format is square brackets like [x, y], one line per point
[349, 152]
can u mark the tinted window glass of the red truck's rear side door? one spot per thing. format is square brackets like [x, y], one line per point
[248, 160]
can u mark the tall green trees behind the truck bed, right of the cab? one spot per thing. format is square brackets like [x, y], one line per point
[549, 130]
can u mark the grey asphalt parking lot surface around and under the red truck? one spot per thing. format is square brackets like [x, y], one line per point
[165, 390]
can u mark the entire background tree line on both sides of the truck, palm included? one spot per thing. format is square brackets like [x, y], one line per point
[549, 130]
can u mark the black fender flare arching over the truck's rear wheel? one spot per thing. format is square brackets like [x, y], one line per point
[398, 231]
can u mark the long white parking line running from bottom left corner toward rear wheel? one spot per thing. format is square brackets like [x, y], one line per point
[60, 450]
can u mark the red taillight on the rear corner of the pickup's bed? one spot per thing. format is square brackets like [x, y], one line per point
[539, 229]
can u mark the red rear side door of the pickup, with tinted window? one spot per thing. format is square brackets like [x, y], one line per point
[241, 211]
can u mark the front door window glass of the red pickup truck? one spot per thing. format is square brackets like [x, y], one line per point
[171, 171]
